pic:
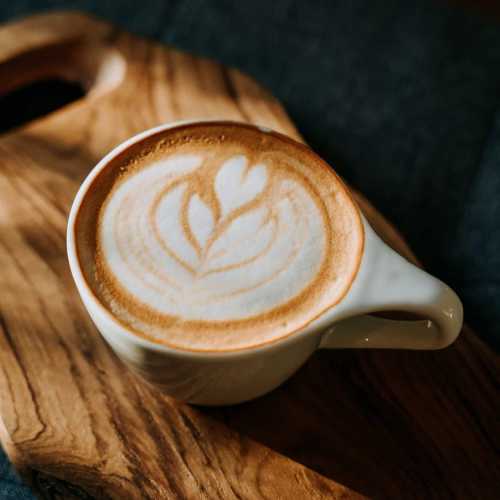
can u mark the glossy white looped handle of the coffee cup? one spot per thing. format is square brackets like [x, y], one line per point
[388, 282]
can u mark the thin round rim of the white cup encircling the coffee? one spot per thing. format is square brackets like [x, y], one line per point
[118, 328]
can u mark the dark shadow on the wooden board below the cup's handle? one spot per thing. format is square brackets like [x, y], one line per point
[383, 422]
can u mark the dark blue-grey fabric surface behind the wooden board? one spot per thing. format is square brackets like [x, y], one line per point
[401, 98]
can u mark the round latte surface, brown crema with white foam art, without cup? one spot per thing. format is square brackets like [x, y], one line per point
[218, 237]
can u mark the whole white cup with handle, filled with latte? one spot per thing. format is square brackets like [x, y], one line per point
[215, 257]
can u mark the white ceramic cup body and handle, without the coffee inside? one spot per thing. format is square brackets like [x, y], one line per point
[385, 281]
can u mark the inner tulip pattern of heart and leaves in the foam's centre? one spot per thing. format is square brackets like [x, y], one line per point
[207, 243]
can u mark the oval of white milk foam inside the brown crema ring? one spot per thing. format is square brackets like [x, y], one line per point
[198, 238]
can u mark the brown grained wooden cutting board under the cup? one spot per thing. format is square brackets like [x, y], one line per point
[76, 424]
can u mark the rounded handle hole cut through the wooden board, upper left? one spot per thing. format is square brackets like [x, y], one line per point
[38, 82]
